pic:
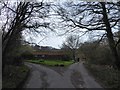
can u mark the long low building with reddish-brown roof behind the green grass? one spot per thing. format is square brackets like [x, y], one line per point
[51, 55]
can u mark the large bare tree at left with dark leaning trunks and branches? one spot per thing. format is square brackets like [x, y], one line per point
[21, 16]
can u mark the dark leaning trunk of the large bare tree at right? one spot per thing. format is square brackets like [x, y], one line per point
[110, 36]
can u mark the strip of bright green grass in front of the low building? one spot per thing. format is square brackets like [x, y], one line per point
[51, 62]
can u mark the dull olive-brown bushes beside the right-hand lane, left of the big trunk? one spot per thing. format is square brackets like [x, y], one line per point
[97, 54]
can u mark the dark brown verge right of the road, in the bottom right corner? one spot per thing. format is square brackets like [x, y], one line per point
[108, 77]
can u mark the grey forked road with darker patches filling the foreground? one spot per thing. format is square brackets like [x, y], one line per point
[75, 76]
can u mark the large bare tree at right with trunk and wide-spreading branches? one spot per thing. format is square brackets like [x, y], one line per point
[92, 16]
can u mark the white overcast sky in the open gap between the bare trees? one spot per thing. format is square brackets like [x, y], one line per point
[51, 38]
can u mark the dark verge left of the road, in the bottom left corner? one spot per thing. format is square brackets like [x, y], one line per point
[14, 76]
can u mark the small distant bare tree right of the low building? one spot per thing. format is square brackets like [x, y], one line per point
[72, 44]
